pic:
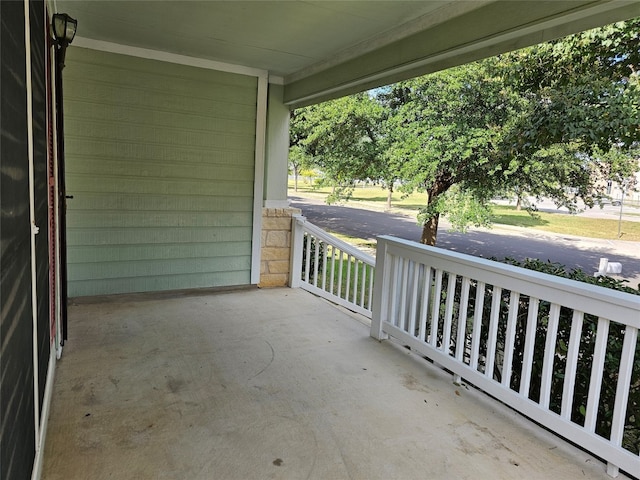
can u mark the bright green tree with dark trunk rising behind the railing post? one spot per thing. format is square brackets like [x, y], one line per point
[447, 128]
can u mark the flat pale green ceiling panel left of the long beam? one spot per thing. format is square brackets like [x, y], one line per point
[282, 37]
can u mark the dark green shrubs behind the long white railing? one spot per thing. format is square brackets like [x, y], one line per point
[585, 356]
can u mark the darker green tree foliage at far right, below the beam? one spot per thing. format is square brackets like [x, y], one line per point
[581, 120]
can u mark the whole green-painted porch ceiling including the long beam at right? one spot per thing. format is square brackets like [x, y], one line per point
[325, 49]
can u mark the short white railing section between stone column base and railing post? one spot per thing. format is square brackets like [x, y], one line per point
[328, 267]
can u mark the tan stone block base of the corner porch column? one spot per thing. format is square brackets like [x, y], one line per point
[276, 246]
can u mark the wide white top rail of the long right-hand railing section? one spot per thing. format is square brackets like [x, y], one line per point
[612, 304]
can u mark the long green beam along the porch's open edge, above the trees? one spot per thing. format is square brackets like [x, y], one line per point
[491, 29]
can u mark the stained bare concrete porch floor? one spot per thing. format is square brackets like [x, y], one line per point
[262, 384]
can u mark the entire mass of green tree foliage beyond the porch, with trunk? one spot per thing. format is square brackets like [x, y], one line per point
[552, 120]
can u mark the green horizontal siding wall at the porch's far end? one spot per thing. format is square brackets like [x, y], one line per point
[160, 163]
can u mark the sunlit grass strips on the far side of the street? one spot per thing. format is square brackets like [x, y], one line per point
[503, 214]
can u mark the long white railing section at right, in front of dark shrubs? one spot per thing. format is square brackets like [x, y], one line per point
[564, 353]
